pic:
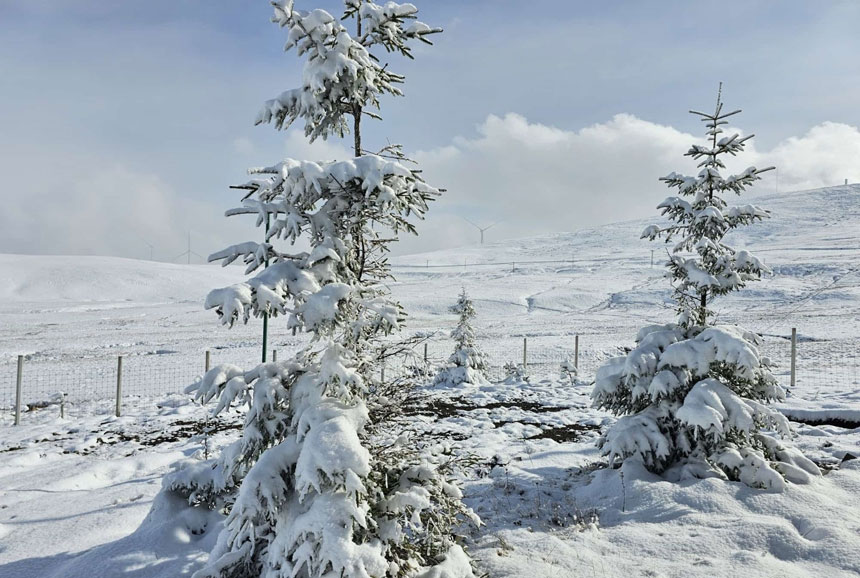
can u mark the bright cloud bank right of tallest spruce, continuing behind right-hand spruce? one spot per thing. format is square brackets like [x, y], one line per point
[539, 178]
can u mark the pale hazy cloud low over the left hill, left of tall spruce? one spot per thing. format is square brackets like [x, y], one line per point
[85, 207]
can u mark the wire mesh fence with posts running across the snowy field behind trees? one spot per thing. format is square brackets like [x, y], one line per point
[815, 367]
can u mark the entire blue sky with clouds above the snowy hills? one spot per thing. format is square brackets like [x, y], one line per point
[122, 124]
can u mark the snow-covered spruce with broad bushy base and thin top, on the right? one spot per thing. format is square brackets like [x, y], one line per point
[692, 395]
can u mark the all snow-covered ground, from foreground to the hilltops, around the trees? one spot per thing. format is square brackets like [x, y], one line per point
[75, 493]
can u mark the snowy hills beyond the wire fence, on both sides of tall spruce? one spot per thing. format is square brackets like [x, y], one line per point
[599, 284]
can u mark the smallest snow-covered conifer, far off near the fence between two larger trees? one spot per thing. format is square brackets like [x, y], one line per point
[466, 363]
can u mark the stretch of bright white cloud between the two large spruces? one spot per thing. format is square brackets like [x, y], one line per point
[538, 178]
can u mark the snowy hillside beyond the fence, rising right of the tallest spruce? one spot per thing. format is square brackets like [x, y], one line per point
[600, 281]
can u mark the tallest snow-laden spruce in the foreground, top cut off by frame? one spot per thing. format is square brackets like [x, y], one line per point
[308, 493]
